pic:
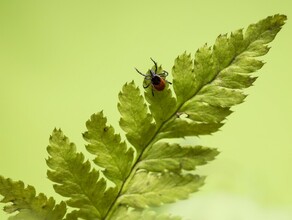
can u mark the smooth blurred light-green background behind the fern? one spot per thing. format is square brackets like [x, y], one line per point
[61, 61]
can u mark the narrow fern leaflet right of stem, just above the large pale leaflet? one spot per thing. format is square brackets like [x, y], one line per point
[173, 157]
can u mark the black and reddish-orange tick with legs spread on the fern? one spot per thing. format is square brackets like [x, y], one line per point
[156, 80]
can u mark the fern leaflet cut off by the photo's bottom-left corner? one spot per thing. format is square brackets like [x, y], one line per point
[27, 204]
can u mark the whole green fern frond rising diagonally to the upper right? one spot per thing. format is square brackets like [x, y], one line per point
[150, 172]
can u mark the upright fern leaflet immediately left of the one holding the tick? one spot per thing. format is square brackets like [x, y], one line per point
[135, 119]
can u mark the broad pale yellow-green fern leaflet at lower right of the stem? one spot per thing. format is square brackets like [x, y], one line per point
[154, 189]
